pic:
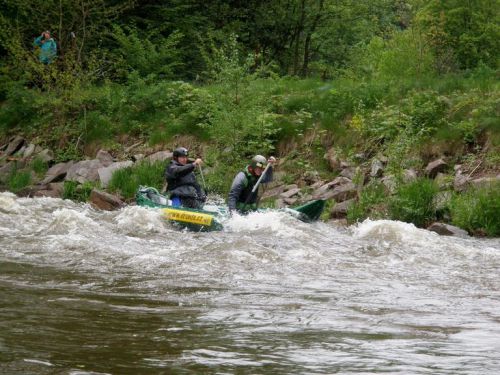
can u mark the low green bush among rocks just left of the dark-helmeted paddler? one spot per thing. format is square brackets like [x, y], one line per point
[127, 180]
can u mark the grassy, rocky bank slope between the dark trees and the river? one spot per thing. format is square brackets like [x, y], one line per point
[420, 151]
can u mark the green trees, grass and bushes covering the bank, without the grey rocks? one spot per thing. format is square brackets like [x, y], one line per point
[408, 79]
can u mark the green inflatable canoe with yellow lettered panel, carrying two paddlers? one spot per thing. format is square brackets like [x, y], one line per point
[210, 217]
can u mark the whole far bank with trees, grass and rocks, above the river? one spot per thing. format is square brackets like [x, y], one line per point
[393, 116]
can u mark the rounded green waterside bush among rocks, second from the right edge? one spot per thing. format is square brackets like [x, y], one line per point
[414, 202]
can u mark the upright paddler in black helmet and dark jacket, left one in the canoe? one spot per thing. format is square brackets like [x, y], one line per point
[182, 185]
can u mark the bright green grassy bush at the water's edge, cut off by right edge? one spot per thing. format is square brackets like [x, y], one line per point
[478, 210]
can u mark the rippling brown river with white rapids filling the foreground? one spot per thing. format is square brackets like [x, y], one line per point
[94, 292]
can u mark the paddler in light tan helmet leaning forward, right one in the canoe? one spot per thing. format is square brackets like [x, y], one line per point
[241, 198]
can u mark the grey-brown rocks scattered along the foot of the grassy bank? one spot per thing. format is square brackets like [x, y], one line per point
[344, 190]
